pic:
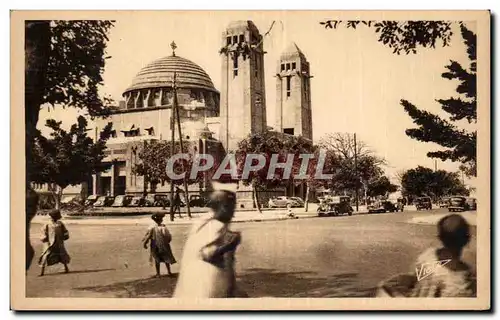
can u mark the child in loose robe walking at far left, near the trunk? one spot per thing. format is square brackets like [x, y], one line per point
[54, 234]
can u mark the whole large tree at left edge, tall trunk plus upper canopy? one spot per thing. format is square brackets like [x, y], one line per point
[64, 61]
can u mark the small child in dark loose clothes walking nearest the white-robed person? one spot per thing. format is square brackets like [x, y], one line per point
[159, 239]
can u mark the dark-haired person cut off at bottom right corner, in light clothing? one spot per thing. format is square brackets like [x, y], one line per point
[439, 272]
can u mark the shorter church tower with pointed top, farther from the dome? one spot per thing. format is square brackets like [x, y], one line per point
[293, 93]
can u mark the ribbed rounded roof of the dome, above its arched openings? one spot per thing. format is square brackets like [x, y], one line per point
[160, 74]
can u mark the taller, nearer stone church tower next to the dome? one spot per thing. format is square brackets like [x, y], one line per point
[243, 97]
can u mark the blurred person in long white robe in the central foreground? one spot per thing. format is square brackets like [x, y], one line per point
[207, 266]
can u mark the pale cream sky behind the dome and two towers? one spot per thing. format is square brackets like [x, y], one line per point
[357, 86]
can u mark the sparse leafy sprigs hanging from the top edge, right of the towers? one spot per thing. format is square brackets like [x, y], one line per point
[402, 36]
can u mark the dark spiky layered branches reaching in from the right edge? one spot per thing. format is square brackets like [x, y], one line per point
[460, 144]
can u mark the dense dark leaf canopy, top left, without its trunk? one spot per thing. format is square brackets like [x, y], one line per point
[76, 60]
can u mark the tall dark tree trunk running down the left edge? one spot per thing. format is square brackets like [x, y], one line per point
[37, 50]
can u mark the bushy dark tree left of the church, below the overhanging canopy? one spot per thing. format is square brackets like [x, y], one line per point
[68, 157]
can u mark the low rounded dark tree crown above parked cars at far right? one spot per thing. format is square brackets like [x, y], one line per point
[426, 182]
